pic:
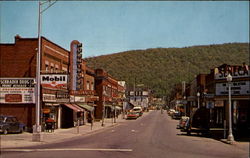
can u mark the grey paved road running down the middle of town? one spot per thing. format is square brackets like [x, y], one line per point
[151, 136]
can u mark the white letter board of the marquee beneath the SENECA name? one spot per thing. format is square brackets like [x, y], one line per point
[237, 88]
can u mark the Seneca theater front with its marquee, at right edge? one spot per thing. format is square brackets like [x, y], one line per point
[240, 97]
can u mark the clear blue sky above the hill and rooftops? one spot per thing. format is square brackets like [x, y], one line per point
[106, 27]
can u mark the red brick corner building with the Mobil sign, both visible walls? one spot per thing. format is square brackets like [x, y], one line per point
[18, 61]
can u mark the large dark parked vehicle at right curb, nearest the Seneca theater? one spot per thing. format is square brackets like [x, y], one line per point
[198, 122]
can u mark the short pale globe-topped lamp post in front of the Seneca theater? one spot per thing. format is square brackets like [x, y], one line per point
[230, 137]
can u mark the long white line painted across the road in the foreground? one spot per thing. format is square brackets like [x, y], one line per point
[66, 149]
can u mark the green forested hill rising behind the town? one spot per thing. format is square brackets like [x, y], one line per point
[161, 68]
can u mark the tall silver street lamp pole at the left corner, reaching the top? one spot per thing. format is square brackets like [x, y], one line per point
[37, 127]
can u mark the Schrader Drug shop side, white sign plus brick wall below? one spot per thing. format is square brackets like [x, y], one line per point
[17, 98]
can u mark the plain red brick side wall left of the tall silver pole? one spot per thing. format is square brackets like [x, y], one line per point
[18, 60]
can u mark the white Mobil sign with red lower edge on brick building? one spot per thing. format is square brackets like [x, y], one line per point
[54, 81]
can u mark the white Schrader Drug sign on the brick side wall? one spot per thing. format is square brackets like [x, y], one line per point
[17, 90]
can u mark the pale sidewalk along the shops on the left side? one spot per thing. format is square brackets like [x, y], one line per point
[59, 135]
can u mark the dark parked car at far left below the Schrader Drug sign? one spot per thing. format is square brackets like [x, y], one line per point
[10, 124]
